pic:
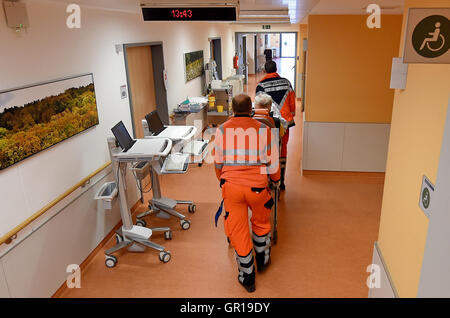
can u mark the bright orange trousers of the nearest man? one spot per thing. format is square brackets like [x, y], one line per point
[237, 200]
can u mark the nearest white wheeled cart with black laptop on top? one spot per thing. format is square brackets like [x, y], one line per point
[134, 237]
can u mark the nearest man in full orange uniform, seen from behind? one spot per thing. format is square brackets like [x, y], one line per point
[245, 153]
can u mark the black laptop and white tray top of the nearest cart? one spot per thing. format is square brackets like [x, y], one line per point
[141, 147]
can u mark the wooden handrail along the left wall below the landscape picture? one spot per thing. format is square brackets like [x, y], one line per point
[8, 237]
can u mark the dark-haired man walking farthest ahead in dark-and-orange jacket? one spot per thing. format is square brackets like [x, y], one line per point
[283, 96]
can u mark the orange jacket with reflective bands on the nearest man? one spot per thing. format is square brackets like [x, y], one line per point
[245, 152]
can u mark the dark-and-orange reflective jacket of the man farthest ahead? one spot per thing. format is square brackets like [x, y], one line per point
[282, 94]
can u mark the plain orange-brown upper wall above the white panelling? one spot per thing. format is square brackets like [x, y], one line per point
[349, 67]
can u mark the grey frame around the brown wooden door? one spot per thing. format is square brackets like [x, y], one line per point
[130, 98]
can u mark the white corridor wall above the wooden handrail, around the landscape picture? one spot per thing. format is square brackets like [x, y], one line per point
[49, 50]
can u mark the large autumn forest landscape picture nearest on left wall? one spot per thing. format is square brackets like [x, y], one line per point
[36, 117]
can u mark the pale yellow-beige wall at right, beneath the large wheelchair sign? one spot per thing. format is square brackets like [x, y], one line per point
[416, 136]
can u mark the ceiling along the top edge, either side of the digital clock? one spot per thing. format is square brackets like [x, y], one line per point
[298, 9]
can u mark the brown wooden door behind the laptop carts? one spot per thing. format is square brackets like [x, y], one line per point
[142, 85]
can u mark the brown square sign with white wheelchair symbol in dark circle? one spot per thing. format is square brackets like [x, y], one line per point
[428, 36]
